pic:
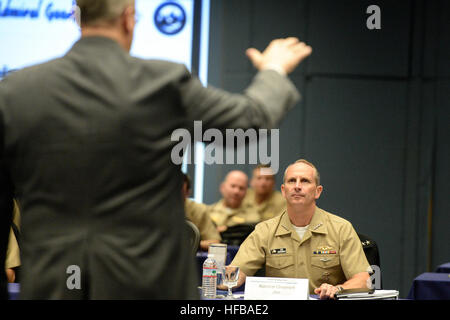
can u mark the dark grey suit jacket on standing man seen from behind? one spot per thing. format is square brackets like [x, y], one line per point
[86, 146]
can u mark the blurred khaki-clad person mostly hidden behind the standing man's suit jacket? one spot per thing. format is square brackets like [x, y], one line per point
[197, 213]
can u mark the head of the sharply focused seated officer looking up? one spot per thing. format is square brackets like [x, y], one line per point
[300, 187]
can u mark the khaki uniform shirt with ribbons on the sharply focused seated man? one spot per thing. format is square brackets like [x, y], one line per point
[330, 251]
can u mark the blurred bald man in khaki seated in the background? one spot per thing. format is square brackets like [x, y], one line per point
[230, 210]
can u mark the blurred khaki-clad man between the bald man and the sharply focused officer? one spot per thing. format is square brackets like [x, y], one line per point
[262, 195]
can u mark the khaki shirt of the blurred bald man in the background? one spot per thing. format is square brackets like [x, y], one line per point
[224, 216]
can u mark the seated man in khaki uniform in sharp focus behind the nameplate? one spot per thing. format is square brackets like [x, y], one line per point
[305, 241]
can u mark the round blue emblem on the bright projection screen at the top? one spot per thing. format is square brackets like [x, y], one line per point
[170, 18]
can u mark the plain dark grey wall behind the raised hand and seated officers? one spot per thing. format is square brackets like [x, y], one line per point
[374, 117]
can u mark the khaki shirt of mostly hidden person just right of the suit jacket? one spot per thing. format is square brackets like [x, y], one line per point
[198, 214]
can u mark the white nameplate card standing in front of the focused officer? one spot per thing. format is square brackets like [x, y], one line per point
[266, 288]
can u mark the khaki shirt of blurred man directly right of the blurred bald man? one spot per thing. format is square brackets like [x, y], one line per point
[269, 208]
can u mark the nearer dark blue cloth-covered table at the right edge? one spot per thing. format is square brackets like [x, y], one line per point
[431, 286]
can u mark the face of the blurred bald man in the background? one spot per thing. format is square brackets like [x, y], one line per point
[233, 189]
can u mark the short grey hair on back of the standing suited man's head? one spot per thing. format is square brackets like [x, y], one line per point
[99, 11]
